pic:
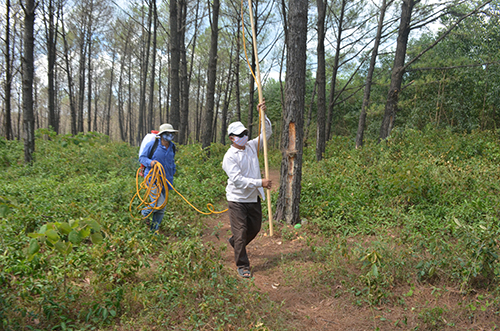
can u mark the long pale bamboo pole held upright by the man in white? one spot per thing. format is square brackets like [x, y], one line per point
[261, 99]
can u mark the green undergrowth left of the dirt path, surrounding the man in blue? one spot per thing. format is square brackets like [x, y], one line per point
[73, 258]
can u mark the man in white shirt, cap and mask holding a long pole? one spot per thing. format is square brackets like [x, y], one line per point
[244, 189]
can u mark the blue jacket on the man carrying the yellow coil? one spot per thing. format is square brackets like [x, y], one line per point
[164, 156]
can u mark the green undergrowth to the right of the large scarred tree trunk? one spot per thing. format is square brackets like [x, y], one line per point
[420, 208]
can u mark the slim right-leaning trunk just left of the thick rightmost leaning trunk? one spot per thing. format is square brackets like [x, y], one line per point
[369, 77]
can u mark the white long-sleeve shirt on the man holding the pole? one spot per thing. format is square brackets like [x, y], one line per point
[244, 183]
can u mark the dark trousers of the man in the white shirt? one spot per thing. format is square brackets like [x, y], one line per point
[246, 221]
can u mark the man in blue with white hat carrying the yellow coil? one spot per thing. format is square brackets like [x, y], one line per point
[165, 154]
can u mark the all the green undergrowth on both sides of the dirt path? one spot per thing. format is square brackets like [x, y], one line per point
[419, 210]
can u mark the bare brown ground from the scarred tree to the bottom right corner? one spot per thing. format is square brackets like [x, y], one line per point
[281, 269]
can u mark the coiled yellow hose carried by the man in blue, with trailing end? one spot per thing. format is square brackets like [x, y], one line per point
[157, 179]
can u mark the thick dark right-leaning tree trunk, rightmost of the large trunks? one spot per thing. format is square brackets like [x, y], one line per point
[398, 69]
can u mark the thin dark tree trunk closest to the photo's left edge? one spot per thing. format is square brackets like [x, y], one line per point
[8, 77]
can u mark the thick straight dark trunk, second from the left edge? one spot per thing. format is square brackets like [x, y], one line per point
[28, 78]
